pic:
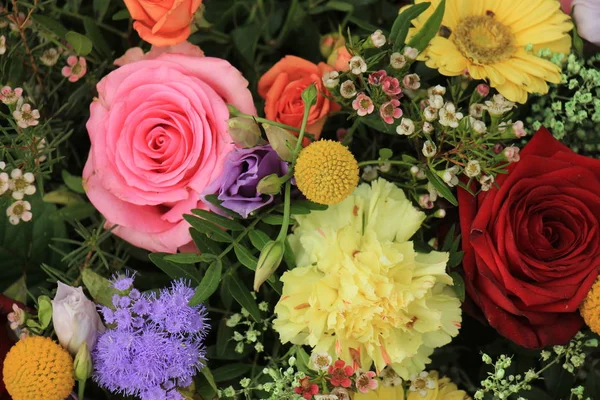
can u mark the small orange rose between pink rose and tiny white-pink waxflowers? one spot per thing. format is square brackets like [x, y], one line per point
[282, 86]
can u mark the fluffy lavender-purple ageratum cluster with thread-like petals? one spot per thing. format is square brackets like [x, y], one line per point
[155, 346]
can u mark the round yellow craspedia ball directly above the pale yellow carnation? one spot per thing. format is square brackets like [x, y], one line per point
[326, 172]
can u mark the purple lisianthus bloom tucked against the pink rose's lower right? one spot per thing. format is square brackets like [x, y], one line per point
[243, 169]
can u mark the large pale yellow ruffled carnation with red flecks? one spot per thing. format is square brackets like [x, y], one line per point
[360, 291]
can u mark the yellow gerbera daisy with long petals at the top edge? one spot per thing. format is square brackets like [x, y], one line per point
[488, 38]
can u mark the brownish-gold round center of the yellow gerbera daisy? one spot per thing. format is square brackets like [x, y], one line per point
[484, 40]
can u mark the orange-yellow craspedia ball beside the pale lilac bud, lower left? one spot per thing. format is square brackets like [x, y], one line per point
[38, 368]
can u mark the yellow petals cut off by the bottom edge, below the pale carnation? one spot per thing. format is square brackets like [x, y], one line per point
[426, 386]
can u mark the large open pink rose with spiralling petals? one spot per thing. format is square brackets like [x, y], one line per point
[159, 137]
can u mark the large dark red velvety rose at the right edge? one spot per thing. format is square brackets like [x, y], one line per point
[532, 247]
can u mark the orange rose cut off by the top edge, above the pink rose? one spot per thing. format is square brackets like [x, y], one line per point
[163, 22]
